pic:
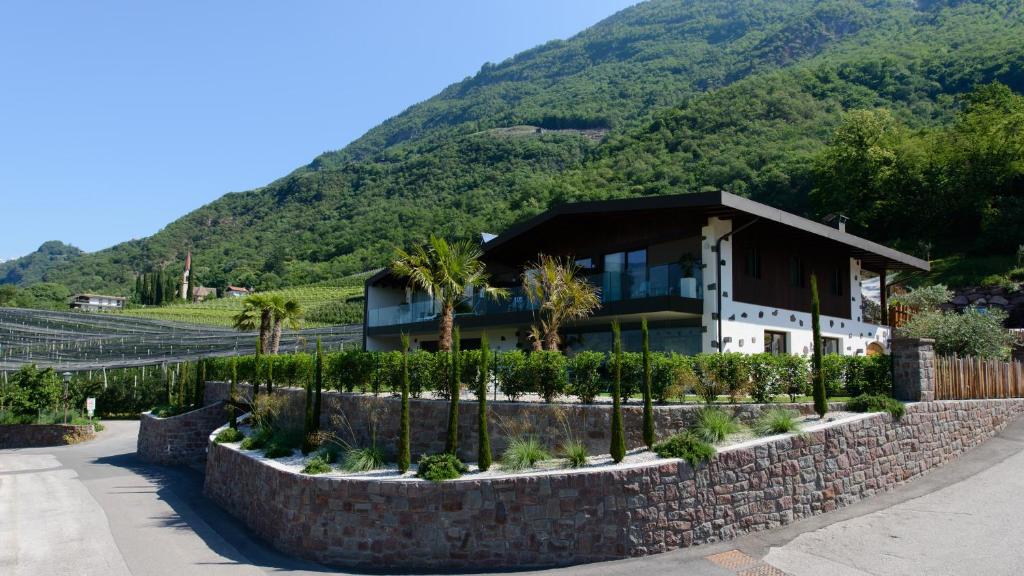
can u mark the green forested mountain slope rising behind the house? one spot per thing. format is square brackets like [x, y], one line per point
[665, 98]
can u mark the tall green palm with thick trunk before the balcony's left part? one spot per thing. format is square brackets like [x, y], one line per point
[446, 272]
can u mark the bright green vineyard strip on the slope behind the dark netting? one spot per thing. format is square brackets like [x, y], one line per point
[324, 306]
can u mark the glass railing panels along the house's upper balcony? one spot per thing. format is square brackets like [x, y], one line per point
[667, 280]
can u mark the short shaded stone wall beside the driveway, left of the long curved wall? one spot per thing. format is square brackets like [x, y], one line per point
[182, 439]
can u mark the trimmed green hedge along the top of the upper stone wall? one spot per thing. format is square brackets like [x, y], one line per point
[585, 376]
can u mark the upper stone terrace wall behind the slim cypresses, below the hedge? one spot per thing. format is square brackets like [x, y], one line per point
[365, 417]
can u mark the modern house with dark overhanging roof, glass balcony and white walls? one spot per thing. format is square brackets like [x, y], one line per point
[709, 272]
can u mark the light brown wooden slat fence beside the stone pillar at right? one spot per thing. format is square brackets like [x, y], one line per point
[976, 379]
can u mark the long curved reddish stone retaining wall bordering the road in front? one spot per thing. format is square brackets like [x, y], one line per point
[566, 518]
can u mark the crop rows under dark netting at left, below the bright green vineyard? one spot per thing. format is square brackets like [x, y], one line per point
[82, 342]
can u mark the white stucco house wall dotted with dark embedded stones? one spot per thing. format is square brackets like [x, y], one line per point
[745, 324]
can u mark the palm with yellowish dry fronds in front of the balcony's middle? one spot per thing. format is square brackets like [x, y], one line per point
[553, 285]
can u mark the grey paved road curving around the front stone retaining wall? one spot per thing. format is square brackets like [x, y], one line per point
[95, 510]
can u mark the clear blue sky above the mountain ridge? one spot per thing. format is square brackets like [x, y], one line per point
[116, 118]
